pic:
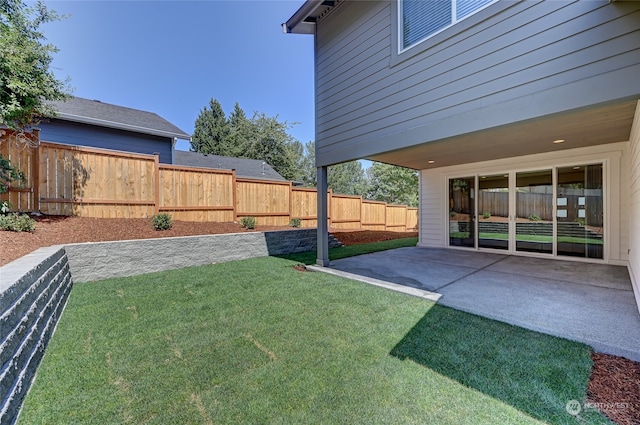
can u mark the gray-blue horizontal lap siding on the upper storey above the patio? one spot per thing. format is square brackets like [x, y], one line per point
[511, 62]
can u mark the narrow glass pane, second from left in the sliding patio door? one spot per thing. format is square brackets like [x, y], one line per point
[493, 211]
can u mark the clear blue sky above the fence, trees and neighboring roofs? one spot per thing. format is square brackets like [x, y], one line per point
[172, 57]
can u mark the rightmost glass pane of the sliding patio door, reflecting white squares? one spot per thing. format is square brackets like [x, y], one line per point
[579, 212]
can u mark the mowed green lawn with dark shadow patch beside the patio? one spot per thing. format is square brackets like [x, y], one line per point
[259, 342]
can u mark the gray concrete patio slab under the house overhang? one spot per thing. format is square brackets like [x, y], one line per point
[589, 303]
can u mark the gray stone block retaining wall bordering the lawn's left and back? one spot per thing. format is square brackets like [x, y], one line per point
[34, 288]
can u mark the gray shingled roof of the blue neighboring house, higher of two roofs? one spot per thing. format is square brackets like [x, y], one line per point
[95, 112]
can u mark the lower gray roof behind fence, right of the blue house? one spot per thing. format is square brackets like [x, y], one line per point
[249, 168]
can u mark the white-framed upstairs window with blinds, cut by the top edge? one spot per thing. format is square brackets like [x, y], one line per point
[421, 19]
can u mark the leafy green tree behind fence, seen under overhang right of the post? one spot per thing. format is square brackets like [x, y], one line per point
[393, 184]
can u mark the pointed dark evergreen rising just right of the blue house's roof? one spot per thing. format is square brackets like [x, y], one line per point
[211, 132]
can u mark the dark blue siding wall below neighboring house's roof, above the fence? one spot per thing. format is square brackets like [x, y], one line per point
[107, 138]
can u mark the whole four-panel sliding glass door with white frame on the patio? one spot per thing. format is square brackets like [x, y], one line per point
[555, 211]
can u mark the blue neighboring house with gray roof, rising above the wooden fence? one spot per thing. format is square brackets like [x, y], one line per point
[86, 122]
